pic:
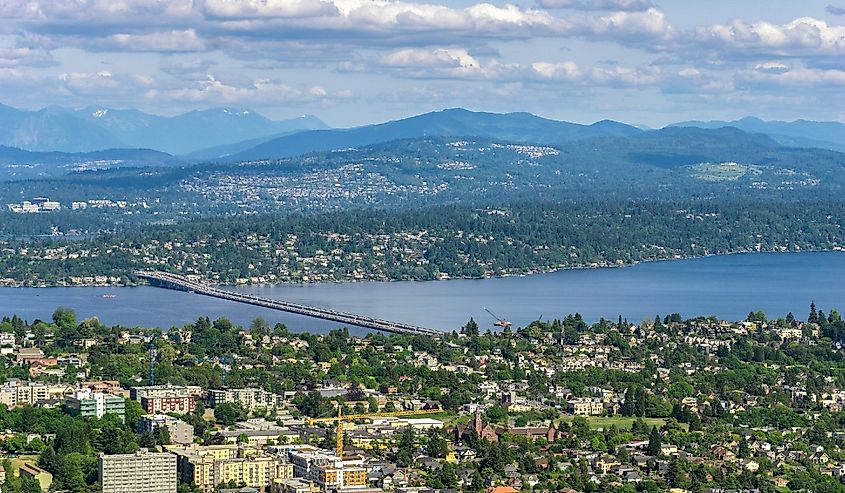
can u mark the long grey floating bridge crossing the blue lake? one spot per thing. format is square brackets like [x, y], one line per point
[172, 281]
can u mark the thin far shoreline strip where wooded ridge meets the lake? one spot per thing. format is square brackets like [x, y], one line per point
[530, 272]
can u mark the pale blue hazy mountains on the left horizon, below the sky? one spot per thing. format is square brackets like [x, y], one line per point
[91, 129]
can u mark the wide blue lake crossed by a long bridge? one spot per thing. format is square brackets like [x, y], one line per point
[726, 286]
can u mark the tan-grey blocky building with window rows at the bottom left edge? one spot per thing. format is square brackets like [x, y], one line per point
[143, 471]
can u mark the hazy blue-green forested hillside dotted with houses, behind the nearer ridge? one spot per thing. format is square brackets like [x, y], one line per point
[672, 164]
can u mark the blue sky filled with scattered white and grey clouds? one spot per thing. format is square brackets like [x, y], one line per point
[353, 62]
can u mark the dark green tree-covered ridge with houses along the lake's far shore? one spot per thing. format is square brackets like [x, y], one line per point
[432, 243]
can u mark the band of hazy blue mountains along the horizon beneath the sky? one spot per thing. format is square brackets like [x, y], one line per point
[232, 135]
